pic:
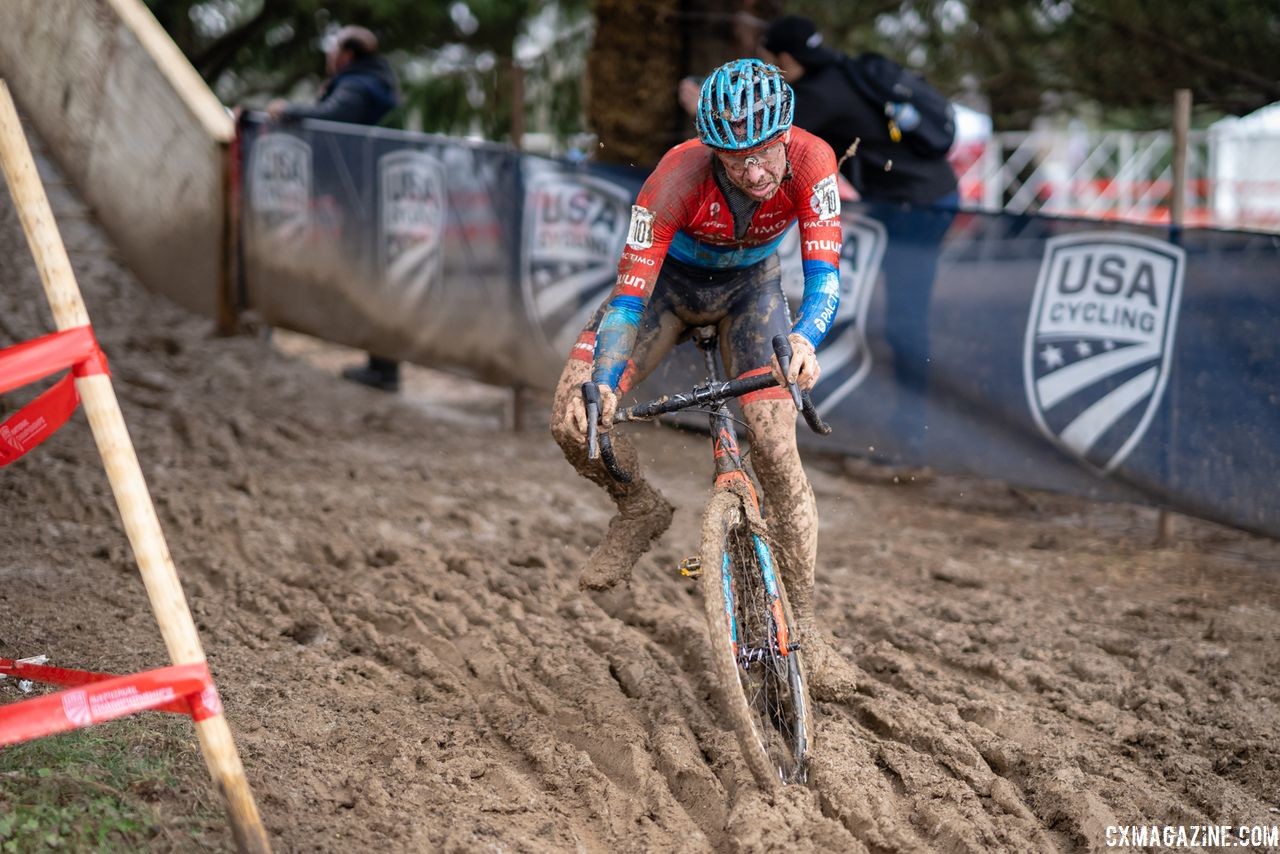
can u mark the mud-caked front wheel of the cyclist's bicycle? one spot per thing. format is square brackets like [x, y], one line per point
[766, 700]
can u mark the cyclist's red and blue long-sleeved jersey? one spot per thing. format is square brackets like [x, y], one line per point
[682, 212]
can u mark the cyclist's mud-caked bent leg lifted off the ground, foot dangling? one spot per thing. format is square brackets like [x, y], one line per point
[643, 513]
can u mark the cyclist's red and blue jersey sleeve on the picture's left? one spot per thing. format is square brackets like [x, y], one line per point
[656, 218]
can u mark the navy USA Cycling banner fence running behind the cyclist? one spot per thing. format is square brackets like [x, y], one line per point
[1108, 360]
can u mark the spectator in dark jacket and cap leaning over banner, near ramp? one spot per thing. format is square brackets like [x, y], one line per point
[362, 90]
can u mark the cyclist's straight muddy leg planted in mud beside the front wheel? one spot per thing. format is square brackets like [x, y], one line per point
[793, 518]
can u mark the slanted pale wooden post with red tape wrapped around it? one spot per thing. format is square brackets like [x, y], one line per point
[141, 524]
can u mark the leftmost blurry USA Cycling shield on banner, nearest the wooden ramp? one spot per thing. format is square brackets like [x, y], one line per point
[280, 180]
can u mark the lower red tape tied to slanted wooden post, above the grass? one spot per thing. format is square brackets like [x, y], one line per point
[94, 698]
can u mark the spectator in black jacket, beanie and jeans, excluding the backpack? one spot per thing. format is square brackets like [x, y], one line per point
[913, 197]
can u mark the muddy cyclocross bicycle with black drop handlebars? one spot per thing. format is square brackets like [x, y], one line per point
[760, 672]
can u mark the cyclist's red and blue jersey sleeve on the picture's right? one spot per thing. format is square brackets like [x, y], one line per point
[819, 213]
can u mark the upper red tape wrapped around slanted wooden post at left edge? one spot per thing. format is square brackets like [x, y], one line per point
[34, 360]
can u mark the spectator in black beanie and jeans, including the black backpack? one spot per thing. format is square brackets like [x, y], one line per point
[897, 131]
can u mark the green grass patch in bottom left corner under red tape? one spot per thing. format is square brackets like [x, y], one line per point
[122, 787]
